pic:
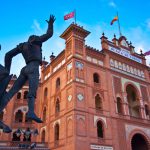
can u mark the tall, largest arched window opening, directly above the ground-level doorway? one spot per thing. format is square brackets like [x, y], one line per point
[133, 102]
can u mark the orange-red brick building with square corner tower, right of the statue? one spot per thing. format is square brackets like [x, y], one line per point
[91, 99]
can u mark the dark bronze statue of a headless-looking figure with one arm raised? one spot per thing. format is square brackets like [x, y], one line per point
[32, 53]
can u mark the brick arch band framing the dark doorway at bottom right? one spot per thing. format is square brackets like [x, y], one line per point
[143, 134]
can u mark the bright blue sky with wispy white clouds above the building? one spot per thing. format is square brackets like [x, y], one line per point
[20, 19]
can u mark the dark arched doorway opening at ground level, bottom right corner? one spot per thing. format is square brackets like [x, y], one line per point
[138, 142]
